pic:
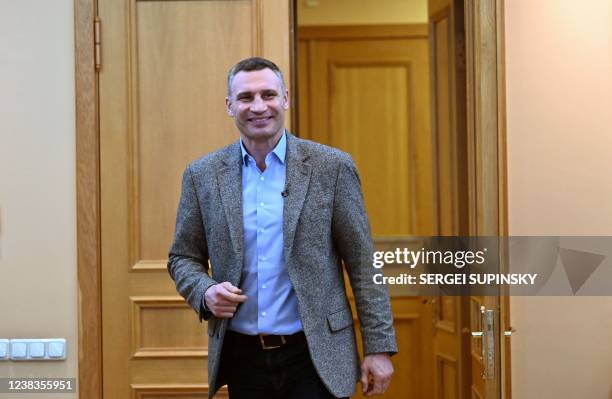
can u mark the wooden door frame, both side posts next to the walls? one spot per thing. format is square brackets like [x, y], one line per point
[486, 152]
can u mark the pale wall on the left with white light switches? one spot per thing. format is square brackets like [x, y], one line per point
[38, 285]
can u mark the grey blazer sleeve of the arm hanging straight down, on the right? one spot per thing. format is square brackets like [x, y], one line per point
[351, 234]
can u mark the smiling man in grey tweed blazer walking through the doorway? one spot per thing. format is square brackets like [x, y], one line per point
[278, 217]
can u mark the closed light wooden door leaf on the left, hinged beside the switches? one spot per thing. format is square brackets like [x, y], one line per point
[162, 89]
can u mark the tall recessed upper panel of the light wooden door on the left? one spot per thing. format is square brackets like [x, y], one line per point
[176, 90]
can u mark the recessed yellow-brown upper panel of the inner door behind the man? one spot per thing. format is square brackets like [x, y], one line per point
[367, 89]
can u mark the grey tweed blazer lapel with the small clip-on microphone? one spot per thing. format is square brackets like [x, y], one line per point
[296, 186]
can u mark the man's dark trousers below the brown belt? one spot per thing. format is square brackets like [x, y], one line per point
[282, 373]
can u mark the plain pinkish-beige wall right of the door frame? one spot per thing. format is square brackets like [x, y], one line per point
[559, 104]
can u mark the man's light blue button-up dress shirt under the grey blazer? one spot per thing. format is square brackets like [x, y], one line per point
[271, 307]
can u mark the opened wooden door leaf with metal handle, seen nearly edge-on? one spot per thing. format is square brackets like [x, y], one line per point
[459, 360]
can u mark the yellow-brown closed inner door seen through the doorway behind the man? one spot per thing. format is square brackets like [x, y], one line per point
[365, 90]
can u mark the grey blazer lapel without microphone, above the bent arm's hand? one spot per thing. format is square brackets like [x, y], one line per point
[229, 178]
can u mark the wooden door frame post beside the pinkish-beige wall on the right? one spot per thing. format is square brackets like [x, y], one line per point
[487, 146]
